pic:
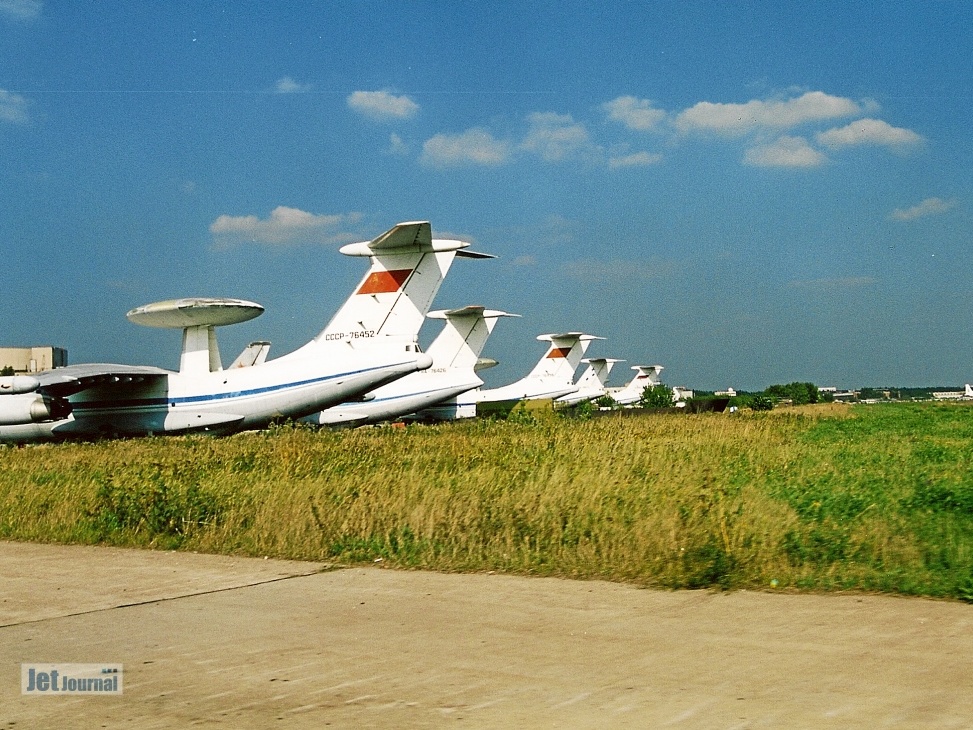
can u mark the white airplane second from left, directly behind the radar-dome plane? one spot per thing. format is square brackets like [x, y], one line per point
[455, 356]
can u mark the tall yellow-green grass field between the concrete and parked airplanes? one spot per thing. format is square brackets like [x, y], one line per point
[876, 498]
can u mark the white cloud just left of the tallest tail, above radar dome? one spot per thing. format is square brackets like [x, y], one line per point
[285, 225]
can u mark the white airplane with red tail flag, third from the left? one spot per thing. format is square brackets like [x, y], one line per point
[552, 376]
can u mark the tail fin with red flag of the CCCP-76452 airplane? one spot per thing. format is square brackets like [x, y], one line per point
[407, 268]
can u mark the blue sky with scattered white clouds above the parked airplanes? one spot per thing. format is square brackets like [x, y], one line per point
[747, 193]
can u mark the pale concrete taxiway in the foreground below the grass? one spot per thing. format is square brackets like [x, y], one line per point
[215, 641]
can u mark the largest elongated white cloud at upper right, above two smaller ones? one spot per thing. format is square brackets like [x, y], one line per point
[739, 119]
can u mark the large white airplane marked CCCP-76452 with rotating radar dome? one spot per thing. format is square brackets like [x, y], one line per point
[365, 346]
